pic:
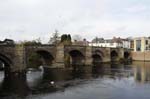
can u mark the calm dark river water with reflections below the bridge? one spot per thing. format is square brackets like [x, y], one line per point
[105, 81]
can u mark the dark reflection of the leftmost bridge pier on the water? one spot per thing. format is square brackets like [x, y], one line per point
[14, 85]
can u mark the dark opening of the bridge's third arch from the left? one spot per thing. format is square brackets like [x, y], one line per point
[77, 58]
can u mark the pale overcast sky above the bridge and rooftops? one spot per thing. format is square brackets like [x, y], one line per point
[32, 19]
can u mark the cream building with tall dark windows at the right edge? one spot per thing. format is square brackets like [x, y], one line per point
[142, 44]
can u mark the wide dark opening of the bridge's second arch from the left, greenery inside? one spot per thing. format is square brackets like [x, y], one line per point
[41, 57]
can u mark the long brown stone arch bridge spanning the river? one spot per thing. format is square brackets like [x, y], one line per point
[16, 57]
